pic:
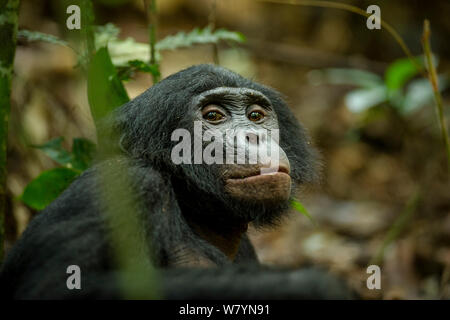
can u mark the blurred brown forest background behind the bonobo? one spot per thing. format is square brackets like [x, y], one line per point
[385, 192]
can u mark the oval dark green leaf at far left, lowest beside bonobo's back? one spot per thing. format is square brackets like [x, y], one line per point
[40, 192]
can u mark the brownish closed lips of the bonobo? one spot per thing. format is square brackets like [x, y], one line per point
[264, 189]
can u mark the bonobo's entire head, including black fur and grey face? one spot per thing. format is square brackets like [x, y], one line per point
[167, 125]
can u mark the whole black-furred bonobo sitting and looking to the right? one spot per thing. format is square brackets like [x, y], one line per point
[205, 152]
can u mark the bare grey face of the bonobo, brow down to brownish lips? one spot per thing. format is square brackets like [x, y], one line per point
[254, 169]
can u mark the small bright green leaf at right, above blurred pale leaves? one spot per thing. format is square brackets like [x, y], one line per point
[400, 71]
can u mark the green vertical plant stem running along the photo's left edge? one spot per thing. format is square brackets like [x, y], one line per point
[9, 12]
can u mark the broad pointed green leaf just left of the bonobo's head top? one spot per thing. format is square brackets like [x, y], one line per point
[105, 91]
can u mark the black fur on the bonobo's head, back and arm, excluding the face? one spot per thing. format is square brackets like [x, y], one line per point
[74, 230]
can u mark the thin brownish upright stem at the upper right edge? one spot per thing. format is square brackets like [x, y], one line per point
[432, 77]
